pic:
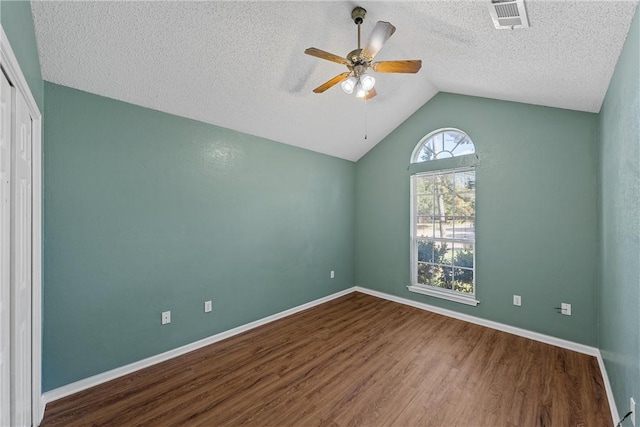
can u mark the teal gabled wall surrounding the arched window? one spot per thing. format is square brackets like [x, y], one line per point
[536, 219]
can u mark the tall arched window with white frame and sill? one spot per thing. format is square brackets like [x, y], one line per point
[443, 212]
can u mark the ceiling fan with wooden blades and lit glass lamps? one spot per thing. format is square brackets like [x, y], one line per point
[358, 61]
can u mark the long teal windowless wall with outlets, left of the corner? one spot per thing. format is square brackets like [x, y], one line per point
[146, 212]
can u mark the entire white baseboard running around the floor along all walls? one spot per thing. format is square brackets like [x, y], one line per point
[95, 380]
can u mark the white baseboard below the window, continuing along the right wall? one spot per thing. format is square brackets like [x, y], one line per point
[547, 339]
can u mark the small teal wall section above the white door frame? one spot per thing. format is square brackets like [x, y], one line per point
[17, 23]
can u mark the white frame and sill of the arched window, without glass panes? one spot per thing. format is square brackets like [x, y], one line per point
[457, 164]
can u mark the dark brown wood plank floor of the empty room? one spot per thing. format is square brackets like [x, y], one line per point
[357, 360]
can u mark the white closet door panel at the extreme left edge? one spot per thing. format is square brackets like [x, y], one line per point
[5, 215]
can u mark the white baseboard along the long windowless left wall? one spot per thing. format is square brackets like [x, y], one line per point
[95, 380]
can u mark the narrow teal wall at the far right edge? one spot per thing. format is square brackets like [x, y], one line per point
[619, 320]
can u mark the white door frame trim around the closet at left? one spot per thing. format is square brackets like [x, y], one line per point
[9, 64]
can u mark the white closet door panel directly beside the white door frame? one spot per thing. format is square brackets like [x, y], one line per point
[21, 264]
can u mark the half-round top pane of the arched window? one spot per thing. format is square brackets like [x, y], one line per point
[442, 144]
